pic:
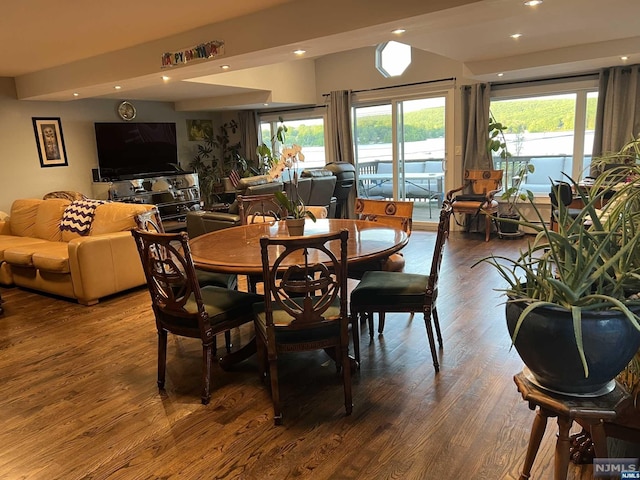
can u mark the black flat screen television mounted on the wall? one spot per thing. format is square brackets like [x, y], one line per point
[131, 150]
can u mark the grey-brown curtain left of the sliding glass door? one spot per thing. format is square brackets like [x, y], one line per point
[340, 147]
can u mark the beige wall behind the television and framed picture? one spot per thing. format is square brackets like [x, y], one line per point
[20, 173]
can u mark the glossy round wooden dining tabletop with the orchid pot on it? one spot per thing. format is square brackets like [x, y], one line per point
[237, 249]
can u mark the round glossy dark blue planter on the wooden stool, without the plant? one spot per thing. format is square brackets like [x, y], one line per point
[546, 343]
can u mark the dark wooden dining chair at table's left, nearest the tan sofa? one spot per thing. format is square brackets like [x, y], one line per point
[181, 306]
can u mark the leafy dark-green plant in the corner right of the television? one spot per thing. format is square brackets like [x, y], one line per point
[215, 159]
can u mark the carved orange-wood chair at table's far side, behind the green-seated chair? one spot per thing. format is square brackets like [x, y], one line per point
[393, 213]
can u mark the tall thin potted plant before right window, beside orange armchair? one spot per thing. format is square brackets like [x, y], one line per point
[497, 143]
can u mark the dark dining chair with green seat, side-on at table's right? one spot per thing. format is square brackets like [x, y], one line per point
[396, 292]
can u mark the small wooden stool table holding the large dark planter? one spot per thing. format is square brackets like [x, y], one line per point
[590, 411]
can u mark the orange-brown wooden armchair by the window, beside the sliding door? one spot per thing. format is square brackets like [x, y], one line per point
[477, 197]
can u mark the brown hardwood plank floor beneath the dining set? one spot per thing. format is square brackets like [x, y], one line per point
[78, 395]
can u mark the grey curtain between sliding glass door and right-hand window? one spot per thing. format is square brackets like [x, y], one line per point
[475, 119]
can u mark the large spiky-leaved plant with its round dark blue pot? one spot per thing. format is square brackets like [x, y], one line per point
[572, 296]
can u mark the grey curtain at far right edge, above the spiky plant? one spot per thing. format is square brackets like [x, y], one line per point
[618, 111]
